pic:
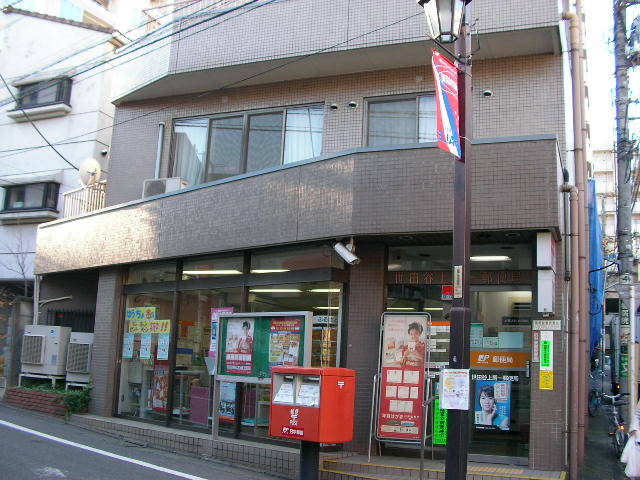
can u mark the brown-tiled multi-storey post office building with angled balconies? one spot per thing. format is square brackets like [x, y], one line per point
[290, 138]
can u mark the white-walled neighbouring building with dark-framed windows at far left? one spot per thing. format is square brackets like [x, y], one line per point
[44, 49]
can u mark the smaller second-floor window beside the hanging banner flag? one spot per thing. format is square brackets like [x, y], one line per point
[401, 120]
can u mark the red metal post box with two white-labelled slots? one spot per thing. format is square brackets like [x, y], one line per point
[312, 404]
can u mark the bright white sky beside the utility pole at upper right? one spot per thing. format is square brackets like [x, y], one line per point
[601, 72]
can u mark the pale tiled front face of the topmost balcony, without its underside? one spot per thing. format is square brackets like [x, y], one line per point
[253, 36]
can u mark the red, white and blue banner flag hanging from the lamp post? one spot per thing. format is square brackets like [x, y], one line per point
[445, 75]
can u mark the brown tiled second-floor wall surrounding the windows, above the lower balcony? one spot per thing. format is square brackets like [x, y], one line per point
[507, 113]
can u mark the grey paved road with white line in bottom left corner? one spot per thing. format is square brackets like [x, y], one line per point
[38, 447]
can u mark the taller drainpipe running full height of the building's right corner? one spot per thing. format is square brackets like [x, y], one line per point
[581, 174]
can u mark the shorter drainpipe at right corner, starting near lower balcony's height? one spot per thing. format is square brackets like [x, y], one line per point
[573, 330]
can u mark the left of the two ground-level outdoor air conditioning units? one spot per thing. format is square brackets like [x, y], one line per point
[44, 349]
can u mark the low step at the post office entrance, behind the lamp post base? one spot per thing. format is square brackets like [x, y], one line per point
[394, 468]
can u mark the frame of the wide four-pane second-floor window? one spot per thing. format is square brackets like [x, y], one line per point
[245, 115]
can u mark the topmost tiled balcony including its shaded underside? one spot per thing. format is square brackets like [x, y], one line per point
[241, 46]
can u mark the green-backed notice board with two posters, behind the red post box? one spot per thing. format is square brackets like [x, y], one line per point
[251, 344]
